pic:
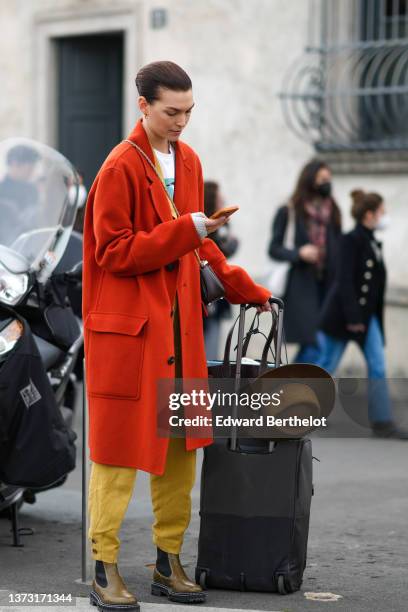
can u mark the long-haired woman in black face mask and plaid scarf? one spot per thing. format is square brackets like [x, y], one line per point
[316, 229]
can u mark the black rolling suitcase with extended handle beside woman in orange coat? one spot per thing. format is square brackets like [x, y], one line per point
[255, 507]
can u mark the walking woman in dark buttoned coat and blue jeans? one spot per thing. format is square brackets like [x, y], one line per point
[354, 308]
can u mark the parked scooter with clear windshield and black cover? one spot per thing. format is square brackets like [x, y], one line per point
[40, 336]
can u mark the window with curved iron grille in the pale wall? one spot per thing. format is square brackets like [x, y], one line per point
[349, 92]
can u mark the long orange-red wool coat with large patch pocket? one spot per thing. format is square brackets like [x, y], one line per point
[128, 293]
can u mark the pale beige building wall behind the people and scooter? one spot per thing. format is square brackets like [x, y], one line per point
[238, 54]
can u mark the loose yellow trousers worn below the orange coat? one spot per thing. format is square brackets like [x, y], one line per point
[110, 491]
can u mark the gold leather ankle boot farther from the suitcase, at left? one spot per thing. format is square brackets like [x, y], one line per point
[109, 592]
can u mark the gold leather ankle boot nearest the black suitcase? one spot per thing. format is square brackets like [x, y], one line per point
[177, 586]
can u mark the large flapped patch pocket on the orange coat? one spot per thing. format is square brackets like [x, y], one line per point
[114, 356]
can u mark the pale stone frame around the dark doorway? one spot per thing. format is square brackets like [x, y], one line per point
[60, 24]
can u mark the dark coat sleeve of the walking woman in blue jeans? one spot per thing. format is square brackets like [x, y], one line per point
[347, 262]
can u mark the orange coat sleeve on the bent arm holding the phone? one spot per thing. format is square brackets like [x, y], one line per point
[121, 250]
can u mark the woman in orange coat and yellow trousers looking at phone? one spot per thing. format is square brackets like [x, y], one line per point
[143, 322]
